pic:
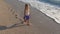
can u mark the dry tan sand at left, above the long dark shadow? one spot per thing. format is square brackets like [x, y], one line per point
[6, 16]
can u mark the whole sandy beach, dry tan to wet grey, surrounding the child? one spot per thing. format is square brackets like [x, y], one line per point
[41, 24]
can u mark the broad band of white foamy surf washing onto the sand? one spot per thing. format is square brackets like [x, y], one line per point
[49, 10]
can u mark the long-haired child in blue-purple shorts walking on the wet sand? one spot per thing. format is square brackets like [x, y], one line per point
[26, 14]
